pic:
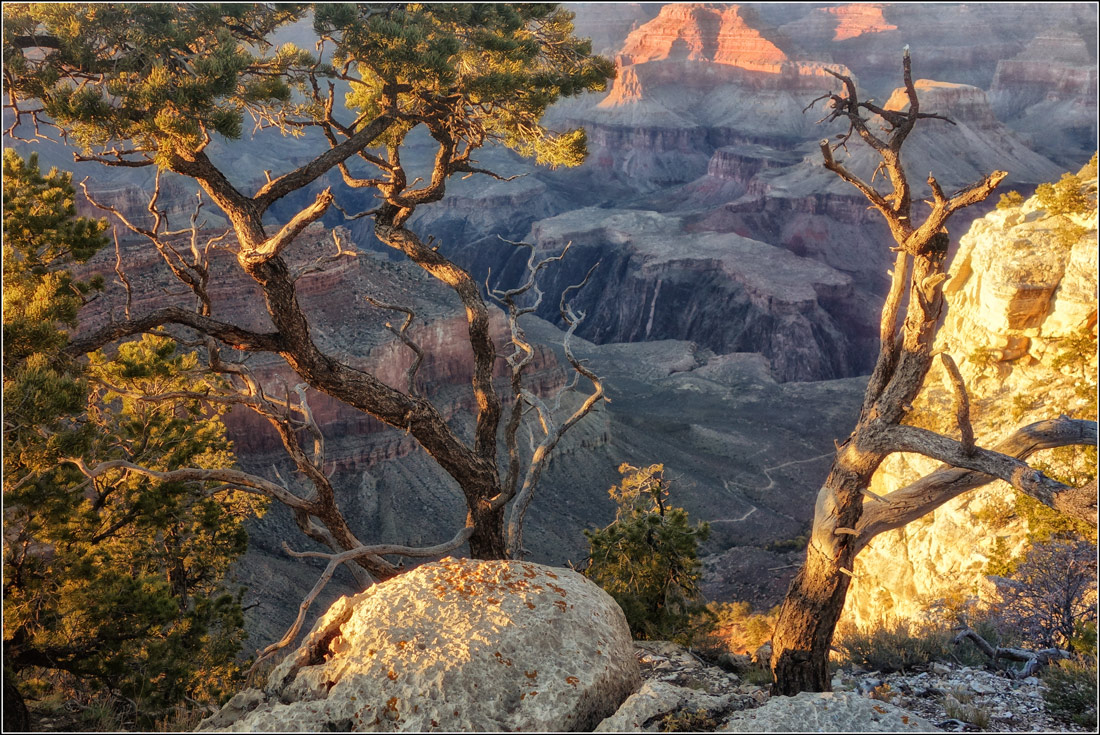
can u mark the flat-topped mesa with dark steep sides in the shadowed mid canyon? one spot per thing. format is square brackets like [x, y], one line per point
[657, 282]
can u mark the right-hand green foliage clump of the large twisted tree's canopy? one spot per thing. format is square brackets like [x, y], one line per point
[494, 68]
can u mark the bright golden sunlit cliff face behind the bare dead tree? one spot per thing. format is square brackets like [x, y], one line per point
[1016, 293]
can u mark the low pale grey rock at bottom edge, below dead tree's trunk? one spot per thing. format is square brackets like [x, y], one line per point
[828, 712]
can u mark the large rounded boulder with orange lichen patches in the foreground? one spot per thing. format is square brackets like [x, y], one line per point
[457, 645]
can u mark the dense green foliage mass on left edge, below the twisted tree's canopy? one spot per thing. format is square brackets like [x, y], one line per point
[113, 584]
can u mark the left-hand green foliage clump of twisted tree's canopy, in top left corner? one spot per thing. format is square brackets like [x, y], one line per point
[167, 75]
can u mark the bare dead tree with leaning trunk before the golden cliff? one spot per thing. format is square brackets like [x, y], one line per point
[848, 515]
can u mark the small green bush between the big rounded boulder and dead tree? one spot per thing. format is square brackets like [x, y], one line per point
[648, 560]
